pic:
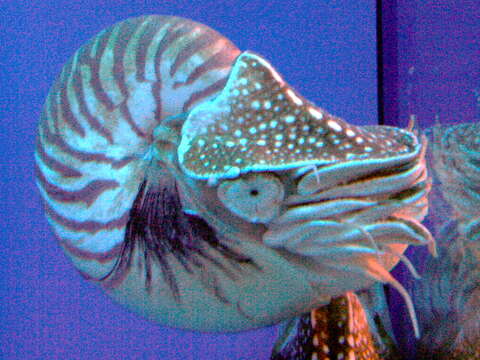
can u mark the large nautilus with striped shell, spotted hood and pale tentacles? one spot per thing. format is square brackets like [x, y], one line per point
[201, 191]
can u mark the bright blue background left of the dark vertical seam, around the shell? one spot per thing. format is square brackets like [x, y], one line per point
[325, 49]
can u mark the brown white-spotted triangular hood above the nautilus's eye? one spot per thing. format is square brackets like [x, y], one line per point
[260, 123]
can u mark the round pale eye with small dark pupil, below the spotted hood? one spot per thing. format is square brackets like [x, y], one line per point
[254, 197]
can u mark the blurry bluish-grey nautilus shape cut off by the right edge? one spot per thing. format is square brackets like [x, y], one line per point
[447, 298]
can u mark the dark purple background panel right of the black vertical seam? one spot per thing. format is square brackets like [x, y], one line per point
[438, 60]
